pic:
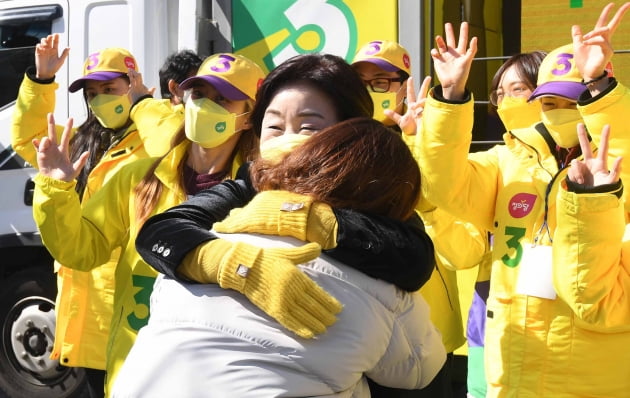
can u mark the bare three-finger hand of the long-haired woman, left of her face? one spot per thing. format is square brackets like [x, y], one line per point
[52, 158]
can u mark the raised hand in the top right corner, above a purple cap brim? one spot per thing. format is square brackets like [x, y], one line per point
[593, 50]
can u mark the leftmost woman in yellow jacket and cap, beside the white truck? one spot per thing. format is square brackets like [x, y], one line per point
[83, 305]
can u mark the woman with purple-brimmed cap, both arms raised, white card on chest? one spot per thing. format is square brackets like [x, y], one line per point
[537, 343]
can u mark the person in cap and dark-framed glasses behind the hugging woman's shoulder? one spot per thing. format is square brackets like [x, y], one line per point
[384, 66]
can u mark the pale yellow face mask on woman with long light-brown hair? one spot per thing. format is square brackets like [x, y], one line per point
[207, 123]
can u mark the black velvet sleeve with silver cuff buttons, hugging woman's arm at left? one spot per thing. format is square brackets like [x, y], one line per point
[166, 238]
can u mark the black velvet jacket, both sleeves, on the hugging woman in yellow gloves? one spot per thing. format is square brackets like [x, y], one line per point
[396, 252]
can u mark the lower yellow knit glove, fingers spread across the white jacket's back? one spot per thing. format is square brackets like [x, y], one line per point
[270, 279]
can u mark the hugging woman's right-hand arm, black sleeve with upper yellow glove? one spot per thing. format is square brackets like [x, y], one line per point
[397, 252]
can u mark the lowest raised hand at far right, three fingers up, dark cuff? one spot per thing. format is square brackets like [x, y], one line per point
[593, 171]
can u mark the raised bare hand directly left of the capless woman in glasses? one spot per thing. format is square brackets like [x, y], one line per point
[452, 60]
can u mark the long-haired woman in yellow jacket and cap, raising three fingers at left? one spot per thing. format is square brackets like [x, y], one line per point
[214, 141]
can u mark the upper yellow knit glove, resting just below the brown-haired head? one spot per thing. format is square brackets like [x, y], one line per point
[284, 213]
